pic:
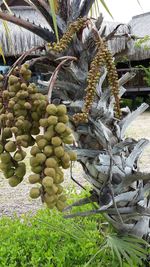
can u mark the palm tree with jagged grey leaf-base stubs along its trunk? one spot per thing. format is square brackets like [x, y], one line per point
[109, 159]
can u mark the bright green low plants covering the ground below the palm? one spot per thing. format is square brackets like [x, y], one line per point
[47, 239]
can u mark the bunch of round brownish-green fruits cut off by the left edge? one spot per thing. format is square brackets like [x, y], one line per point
[19, 102]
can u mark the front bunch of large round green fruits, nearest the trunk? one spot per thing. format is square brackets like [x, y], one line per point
[49, 157]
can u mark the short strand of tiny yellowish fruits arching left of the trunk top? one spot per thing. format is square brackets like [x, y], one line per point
[73, 28]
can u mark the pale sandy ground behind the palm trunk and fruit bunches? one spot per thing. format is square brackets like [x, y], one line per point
[17, 201]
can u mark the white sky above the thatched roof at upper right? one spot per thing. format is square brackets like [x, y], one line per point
[124, 10]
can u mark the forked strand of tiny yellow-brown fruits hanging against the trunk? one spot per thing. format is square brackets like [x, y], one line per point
[103, 57]
